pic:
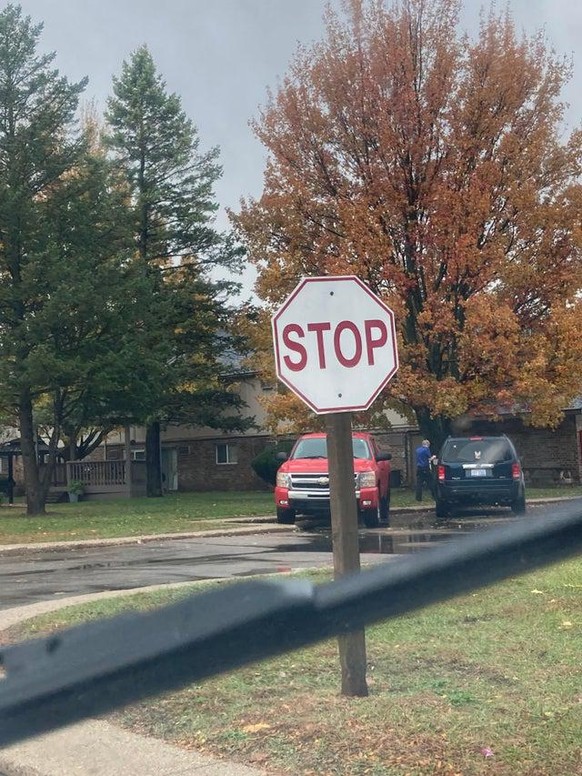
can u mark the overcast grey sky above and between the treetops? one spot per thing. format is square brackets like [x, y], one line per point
[221, 55]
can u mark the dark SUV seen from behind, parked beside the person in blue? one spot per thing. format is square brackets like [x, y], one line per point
[479, 470]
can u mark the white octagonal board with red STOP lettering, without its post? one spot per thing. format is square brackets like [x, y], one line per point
[335, 343]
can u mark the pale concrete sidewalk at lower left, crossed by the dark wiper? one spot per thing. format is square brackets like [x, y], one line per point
[96, 747]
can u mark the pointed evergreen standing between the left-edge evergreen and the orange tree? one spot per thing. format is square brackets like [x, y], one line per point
[171, 189]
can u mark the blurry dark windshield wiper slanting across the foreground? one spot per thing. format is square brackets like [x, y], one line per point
[94, 668]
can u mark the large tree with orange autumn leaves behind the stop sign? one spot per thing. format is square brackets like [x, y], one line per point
[436, 168]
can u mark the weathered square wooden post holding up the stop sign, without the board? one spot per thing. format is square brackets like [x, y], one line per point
[346, 552]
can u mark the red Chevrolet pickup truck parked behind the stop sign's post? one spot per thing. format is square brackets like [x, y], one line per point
[302, 486]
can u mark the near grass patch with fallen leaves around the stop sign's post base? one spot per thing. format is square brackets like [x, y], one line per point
[487, 683]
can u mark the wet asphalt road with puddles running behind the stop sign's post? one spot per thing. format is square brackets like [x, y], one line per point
[49, 575]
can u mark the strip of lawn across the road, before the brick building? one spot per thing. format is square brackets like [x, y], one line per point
[174, 513]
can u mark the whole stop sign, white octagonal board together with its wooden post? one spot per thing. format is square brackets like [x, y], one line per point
[335, 348]
